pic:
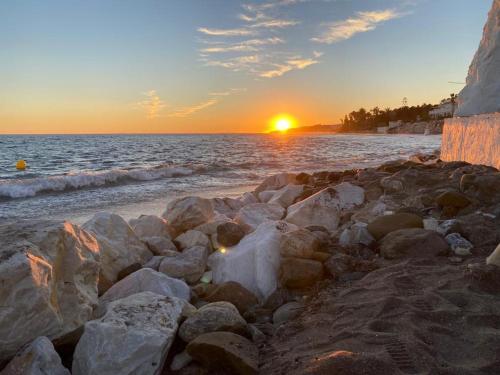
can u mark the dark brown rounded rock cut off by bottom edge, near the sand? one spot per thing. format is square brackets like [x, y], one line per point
[225, 351]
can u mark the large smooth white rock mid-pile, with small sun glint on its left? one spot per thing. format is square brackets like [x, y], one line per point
[255, 261]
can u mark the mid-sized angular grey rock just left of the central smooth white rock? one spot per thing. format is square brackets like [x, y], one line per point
[188, 265]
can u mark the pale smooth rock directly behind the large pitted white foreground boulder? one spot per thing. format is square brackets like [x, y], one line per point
[144, 280]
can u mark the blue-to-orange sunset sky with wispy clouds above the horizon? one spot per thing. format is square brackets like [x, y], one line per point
[224, 66]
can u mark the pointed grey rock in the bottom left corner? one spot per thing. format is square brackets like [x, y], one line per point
[38, 358]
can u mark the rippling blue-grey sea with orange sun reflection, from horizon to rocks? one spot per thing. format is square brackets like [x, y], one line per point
[78, 175]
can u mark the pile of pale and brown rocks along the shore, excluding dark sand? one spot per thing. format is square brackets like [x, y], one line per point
[202, 286]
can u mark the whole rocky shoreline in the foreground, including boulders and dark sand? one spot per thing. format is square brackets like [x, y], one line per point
[394, 269]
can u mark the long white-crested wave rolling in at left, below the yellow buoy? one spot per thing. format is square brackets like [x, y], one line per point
[32, 186]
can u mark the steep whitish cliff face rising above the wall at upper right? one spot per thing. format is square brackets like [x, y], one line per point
[482, 91]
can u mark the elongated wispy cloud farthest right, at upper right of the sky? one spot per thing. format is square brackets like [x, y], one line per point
[362, 22]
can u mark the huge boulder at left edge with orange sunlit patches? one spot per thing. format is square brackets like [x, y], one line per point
[48, 281]
